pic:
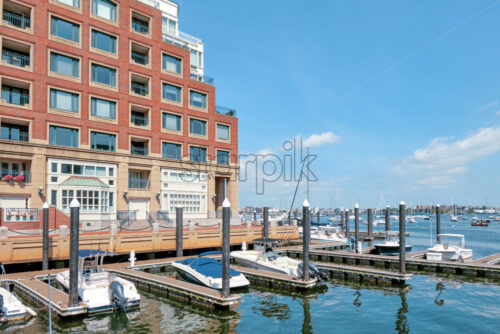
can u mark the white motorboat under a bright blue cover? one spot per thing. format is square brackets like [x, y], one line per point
[207, 271]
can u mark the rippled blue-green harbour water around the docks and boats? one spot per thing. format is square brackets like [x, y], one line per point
[429, 304]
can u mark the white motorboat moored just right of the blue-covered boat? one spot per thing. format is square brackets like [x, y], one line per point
[267, 259]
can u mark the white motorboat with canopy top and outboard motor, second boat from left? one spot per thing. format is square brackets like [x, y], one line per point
[100, 290]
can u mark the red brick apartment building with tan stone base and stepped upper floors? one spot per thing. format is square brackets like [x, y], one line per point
[107, 101]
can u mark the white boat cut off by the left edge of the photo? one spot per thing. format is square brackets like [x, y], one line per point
[11, 308]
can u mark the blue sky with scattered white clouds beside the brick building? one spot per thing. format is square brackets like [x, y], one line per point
[406, 94]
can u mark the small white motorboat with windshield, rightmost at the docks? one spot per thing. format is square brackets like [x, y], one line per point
[450, 247]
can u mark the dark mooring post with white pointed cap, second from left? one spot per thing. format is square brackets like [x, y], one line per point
[73, 251]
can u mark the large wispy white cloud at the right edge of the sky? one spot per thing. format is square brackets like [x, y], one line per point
[439, 164]
